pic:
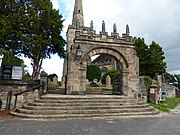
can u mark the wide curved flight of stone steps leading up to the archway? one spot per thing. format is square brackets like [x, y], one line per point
[60, 106]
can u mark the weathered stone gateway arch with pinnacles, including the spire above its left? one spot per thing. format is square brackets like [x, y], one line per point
[83, 43]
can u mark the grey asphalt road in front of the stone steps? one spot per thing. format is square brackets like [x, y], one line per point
[165, 125]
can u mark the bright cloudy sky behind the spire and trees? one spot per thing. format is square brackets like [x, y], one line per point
[154, 20]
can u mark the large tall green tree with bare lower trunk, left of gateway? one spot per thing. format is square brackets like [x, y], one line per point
[33, 29]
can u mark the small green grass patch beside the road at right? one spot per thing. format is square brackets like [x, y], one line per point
[165, 106]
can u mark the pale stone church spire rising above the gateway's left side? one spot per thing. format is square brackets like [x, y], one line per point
[78, 13]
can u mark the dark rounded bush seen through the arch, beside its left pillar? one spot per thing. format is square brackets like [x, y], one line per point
[93, 72]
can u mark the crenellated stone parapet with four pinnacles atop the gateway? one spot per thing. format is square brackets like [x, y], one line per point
[88, 33]
